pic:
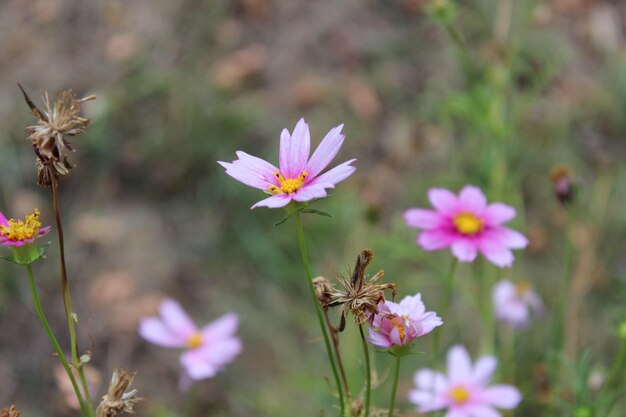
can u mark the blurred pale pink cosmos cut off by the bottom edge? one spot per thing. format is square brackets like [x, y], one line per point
[464, 392]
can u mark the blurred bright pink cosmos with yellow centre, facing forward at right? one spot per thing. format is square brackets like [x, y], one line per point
[467, 224]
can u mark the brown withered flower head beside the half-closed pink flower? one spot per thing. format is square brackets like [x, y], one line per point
[359, 295]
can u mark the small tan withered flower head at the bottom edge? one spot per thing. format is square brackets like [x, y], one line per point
[117, 400]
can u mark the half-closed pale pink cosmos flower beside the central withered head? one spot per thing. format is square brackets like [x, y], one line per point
[398, 324]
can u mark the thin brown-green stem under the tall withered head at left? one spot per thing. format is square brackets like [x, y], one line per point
[65, 289]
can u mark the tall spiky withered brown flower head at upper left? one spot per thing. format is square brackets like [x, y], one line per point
[49, 136]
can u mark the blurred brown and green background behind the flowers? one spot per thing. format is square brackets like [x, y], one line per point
[494, 93]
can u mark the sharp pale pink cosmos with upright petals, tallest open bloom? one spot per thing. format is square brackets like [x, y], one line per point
[299, 177]
